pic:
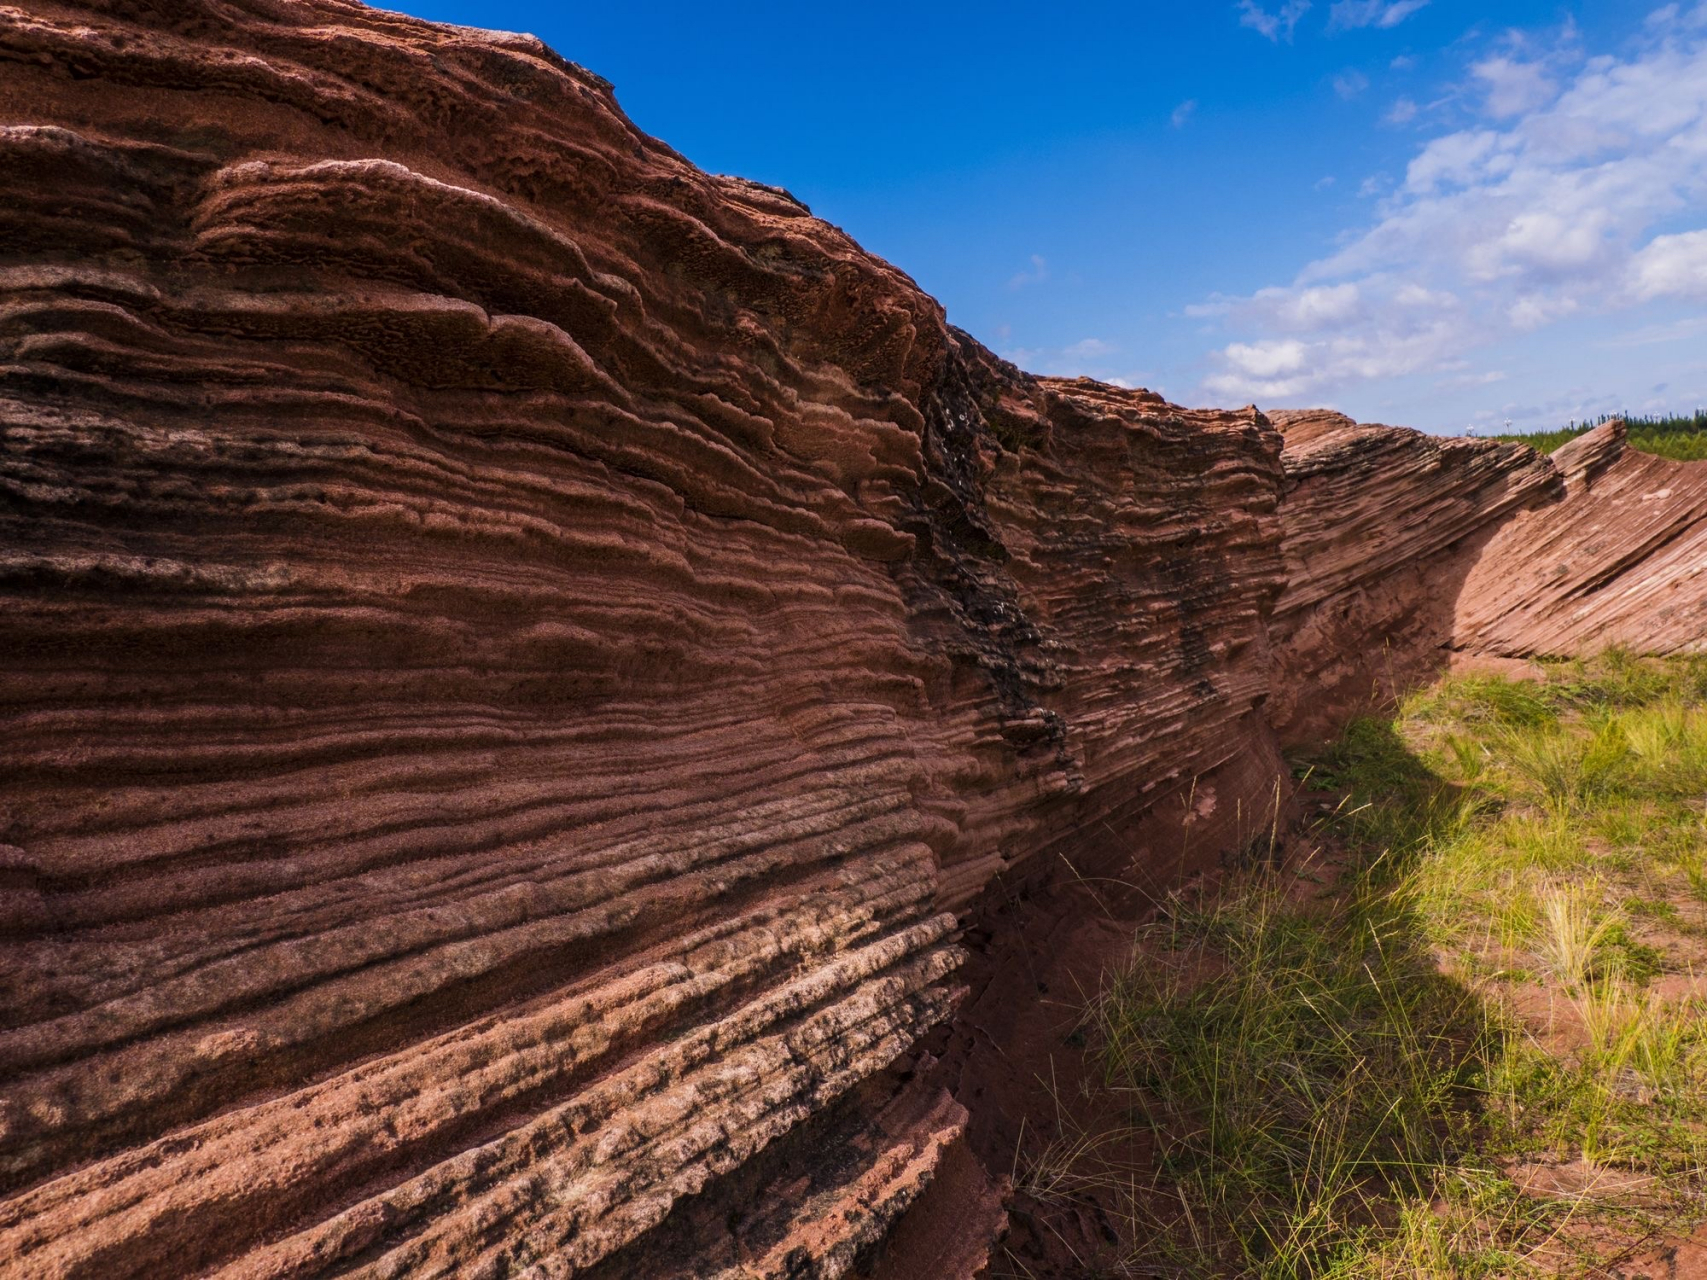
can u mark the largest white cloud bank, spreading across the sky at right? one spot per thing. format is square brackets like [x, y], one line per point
[1570, 207]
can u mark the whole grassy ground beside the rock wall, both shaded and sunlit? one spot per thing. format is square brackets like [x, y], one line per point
[1351, 1079]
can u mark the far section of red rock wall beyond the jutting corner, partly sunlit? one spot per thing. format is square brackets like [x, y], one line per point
[1409, 554]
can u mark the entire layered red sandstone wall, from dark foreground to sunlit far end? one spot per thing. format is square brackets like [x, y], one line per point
[533, 673]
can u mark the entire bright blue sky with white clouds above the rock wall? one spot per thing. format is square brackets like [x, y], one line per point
[1426, 212]
